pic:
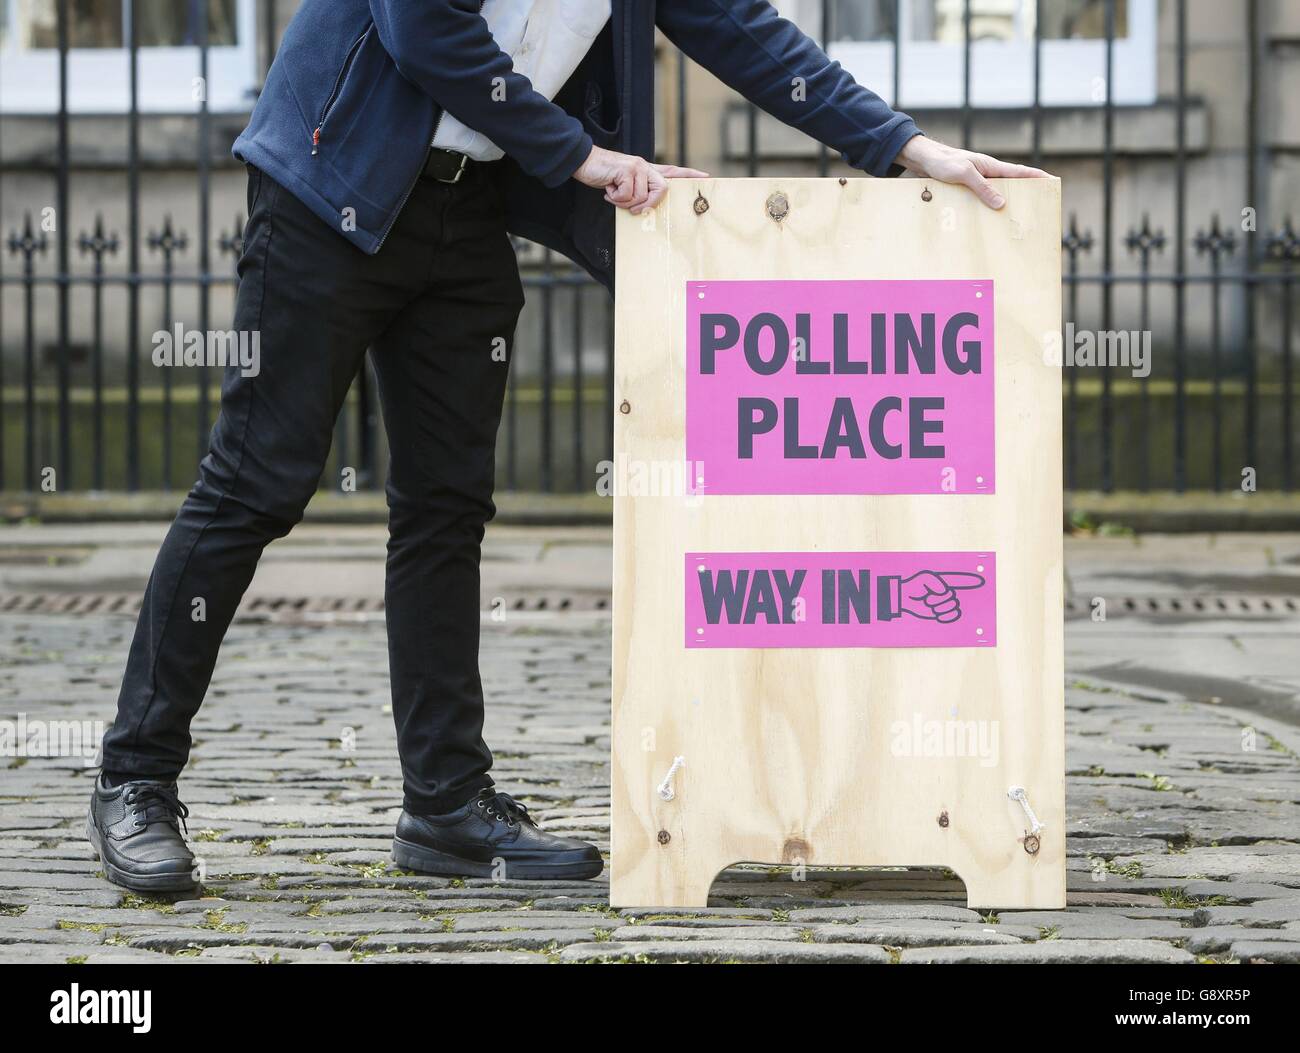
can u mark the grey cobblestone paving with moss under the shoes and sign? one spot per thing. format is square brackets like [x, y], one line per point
[1184, 838]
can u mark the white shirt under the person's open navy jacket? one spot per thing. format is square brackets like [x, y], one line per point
[547, 40]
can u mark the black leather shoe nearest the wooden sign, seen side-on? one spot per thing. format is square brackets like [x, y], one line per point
[491, 838]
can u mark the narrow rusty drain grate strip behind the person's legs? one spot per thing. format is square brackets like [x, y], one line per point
[281, 608]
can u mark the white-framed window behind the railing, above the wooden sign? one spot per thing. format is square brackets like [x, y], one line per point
[933, 38]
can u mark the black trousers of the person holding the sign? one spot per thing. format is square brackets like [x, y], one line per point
[439, 307]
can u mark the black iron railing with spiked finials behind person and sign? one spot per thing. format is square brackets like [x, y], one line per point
[1221, 400]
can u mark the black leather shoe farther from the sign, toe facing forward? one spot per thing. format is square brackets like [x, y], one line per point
[136, 830]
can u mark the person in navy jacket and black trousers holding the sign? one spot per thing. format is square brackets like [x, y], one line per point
[396, 148]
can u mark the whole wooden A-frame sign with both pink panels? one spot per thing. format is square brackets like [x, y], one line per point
[838, 591]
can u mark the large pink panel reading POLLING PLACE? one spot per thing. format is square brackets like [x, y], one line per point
[840, 387]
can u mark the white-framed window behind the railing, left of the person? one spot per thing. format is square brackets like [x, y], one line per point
[168, 33]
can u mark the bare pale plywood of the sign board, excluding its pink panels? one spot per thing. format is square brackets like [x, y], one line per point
[853, 749]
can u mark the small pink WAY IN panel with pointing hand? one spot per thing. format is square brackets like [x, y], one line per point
[842, 600]
